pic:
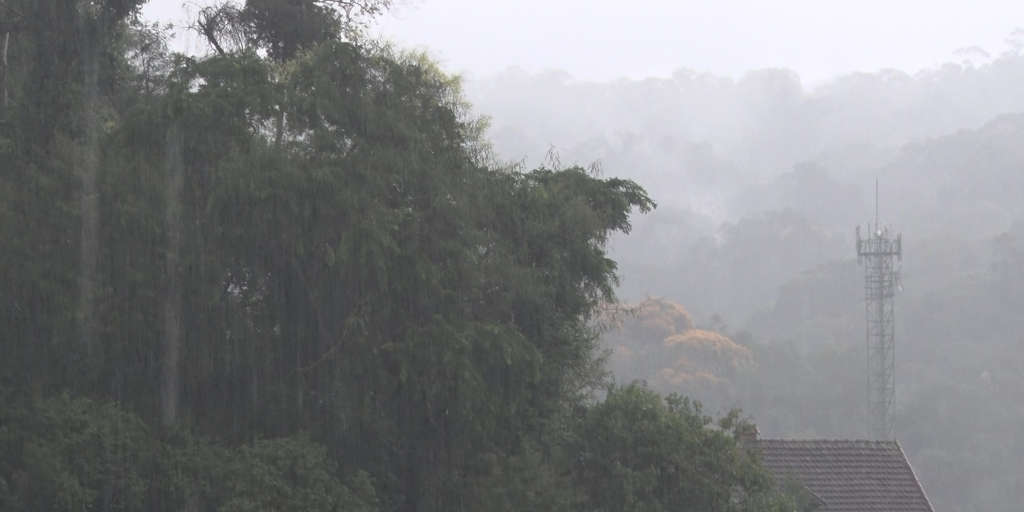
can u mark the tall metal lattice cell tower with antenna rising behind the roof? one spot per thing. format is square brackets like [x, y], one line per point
[880, 253]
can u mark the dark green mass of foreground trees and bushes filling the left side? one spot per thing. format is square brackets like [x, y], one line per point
[289, 275]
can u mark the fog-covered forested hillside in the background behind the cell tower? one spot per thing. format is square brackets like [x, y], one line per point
[761, 183]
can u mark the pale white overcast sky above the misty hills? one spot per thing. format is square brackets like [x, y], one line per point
[605, 40]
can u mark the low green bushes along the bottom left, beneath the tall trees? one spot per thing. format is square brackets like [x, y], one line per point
[75, 454]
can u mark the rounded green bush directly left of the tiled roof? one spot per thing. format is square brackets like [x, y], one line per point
[639, 452]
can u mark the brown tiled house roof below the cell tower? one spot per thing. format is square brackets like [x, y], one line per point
[848, 476]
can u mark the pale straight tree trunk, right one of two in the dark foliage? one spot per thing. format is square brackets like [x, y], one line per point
[170, 381]
